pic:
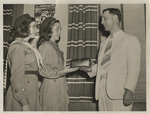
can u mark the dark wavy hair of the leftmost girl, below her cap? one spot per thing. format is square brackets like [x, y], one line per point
[23, 29]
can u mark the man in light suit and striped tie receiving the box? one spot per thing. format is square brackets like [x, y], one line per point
[118, 66]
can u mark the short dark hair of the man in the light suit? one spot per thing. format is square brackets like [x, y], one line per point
[114, 11]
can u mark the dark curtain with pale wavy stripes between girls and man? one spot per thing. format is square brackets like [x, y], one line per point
[82, 43]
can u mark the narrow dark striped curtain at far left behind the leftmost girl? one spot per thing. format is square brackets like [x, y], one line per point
[7, 24]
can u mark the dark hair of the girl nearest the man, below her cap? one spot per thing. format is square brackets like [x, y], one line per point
[46, 33]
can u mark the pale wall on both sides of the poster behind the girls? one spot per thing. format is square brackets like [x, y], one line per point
[62, 15]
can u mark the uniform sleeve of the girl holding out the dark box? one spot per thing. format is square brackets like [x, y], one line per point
[49, 70]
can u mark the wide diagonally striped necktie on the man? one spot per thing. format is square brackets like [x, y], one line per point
[107, 54]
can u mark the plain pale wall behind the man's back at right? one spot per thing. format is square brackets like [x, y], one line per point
[134, 23]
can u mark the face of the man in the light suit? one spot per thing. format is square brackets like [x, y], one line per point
[108, 21]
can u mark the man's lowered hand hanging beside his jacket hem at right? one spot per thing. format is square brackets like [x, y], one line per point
[127, 97]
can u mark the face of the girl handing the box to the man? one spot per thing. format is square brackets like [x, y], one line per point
[56, 31]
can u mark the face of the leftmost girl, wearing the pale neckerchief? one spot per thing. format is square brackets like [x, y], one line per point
[33, 29]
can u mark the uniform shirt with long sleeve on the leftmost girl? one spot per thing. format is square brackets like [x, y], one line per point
[20, 59]
